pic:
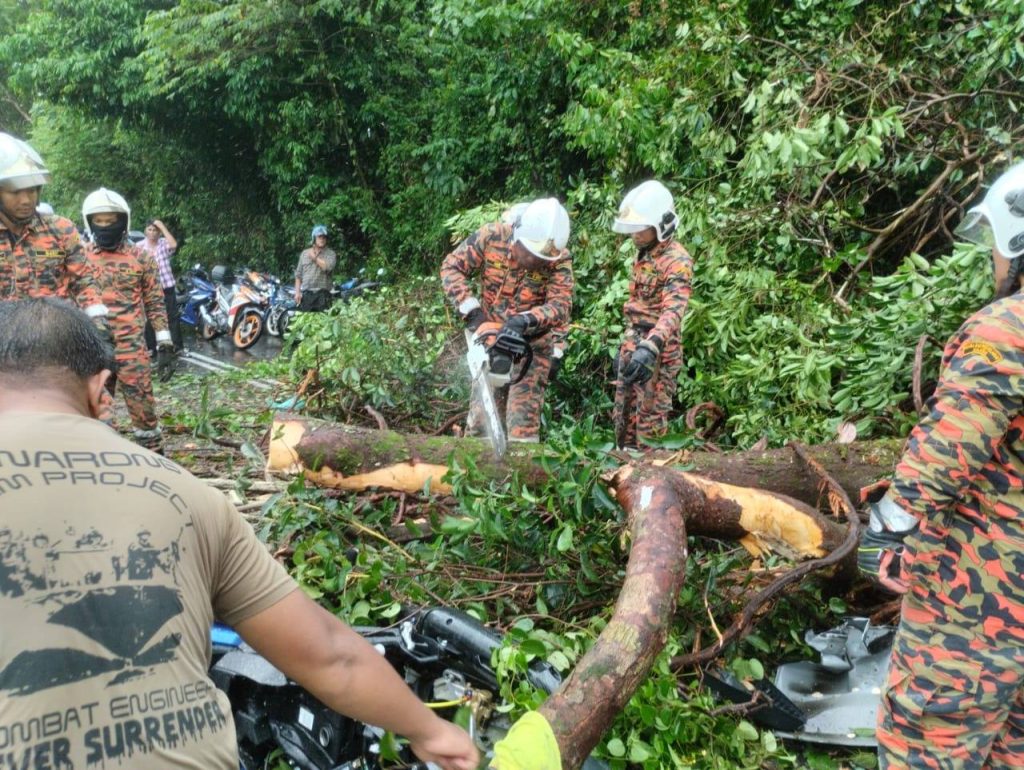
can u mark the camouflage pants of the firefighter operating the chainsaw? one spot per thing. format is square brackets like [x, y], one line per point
[520, 405]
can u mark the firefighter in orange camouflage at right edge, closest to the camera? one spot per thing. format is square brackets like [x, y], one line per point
[950, 535]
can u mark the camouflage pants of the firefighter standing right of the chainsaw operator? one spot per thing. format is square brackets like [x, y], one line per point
[651, 404]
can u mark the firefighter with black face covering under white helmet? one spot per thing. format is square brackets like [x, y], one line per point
[132, 290]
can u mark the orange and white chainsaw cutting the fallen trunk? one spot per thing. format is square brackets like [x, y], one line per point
[496, 359]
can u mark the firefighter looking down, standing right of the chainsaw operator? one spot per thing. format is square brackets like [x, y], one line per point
[651, 357]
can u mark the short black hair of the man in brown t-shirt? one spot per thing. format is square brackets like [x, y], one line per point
[47, 340]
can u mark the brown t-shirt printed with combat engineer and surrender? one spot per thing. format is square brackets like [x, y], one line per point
[114, 564]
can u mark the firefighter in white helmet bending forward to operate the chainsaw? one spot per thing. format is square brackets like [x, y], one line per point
[527, 286]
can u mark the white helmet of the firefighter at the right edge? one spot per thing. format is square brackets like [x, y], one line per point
[999, 220]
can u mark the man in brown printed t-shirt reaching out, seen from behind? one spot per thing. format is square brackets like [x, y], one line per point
[115, 563]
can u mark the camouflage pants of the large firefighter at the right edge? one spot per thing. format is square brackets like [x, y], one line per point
[955, 696]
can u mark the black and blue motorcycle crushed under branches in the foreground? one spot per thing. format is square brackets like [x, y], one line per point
[444, 655]
